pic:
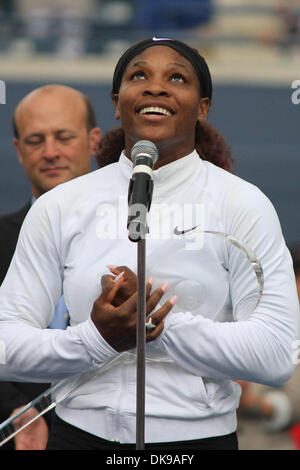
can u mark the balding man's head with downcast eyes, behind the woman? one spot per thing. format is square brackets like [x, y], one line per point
[55, 136]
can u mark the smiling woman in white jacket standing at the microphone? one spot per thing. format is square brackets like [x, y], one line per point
[207, 332]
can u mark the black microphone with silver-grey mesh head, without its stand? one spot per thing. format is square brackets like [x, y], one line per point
[144, 155]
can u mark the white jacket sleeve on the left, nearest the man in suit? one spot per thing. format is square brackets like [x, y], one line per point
[28, 350]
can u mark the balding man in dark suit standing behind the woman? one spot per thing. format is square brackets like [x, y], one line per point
[55, 136]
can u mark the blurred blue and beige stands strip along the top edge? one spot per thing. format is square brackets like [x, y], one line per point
[72, 28]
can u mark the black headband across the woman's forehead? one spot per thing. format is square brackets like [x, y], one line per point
[192, 55]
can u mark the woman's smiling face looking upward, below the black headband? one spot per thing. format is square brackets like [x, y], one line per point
[159, 100]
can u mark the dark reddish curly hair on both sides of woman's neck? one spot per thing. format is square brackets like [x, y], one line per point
[209, 143]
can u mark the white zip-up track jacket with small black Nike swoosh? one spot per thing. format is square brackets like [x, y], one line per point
[226, 325]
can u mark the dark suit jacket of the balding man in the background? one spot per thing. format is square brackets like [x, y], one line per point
[13, 394]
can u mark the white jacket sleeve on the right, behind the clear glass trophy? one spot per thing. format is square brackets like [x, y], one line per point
[258, 347]
